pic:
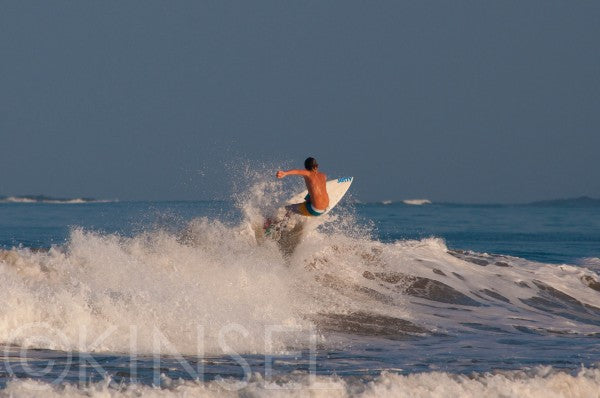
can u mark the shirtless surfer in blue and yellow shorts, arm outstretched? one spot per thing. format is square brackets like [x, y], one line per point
[317, 199]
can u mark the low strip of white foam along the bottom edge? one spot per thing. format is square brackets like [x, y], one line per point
[536, 382]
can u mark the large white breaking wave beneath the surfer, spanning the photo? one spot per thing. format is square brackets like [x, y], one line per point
[216, 282]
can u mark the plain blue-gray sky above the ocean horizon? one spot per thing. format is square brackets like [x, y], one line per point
[465, 101]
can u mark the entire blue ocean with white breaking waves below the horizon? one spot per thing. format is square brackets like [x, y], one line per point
[181, 299]
